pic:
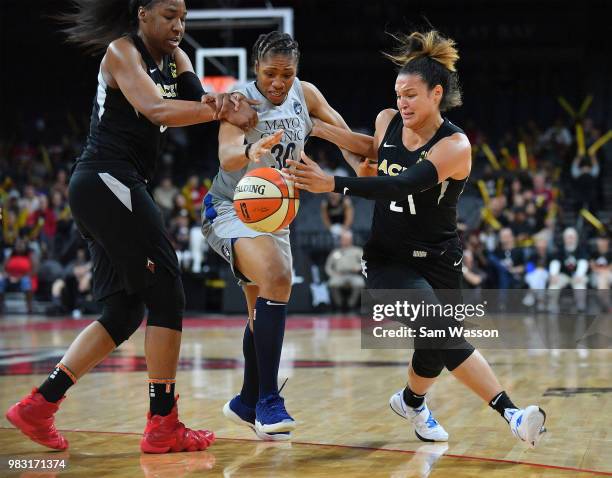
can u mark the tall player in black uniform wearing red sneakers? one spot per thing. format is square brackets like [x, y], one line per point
[145, 85]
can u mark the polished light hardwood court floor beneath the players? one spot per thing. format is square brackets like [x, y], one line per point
[338, 393]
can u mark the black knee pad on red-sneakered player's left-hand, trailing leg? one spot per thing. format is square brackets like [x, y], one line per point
[121, 316]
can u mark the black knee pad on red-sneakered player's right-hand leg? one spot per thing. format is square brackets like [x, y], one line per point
[166, 301]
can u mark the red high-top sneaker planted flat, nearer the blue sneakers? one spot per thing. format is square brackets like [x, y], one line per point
[168, 435]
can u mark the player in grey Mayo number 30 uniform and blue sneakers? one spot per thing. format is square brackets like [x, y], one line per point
[262, 261]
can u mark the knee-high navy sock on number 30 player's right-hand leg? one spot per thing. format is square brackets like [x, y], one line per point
[269, 331]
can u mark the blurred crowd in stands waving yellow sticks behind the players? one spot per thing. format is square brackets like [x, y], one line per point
[536, 216]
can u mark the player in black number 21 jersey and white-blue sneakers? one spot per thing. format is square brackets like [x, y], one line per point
[423, 163]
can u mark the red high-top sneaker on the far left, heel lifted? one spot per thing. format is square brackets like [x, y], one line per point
[33, 415]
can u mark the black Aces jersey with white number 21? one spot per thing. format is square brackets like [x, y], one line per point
[423, 224]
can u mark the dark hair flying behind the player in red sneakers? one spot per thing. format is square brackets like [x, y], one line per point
[96, 23]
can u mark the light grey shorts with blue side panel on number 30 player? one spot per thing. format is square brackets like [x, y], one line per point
[222, 228]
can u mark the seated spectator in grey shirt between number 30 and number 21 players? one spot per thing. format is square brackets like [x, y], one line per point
[343, 267]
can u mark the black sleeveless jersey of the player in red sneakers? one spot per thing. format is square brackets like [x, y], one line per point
[120, 134]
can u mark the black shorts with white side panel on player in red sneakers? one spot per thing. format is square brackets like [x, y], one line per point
[123, 228]
